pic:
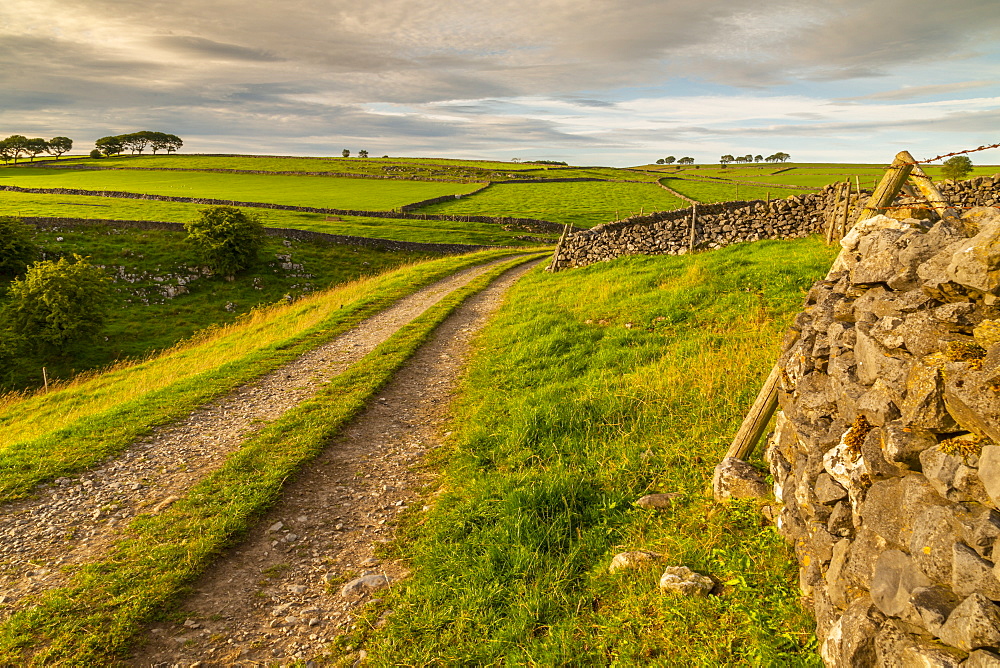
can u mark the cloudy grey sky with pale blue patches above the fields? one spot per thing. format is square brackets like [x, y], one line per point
[589, 82]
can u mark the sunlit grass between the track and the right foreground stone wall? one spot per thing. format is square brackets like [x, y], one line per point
[589, 389]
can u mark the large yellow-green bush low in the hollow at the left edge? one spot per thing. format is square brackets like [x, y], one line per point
[57, 304]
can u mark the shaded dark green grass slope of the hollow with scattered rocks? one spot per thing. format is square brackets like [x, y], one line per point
[145, 263]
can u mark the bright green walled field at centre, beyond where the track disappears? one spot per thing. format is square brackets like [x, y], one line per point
[583, 204]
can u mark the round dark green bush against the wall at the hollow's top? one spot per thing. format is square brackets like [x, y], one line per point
[227, 238]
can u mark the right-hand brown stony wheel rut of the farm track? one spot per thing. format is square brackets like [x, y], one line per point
[279, 597]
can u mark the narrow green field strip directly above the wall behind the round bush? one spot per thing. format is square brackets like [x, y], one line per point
[427, 231]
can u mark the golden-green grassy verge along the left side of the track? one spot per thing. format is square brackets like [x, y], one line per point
[49, 435]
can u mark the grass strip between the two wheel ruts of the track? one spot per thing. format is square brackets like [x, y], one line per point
[93, 619]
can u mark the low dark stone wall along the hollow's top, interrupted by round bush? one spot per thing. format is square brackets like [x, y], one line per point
[284, 233]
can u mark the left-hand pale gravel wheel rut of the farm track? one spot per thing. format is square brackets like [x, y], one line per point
[75, 521]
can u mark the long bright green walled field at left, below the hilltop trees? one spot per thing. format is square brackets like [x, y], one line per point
[323, 192]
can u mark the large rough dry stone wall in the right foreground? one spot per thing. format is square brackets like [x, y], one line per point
[886, 451]
